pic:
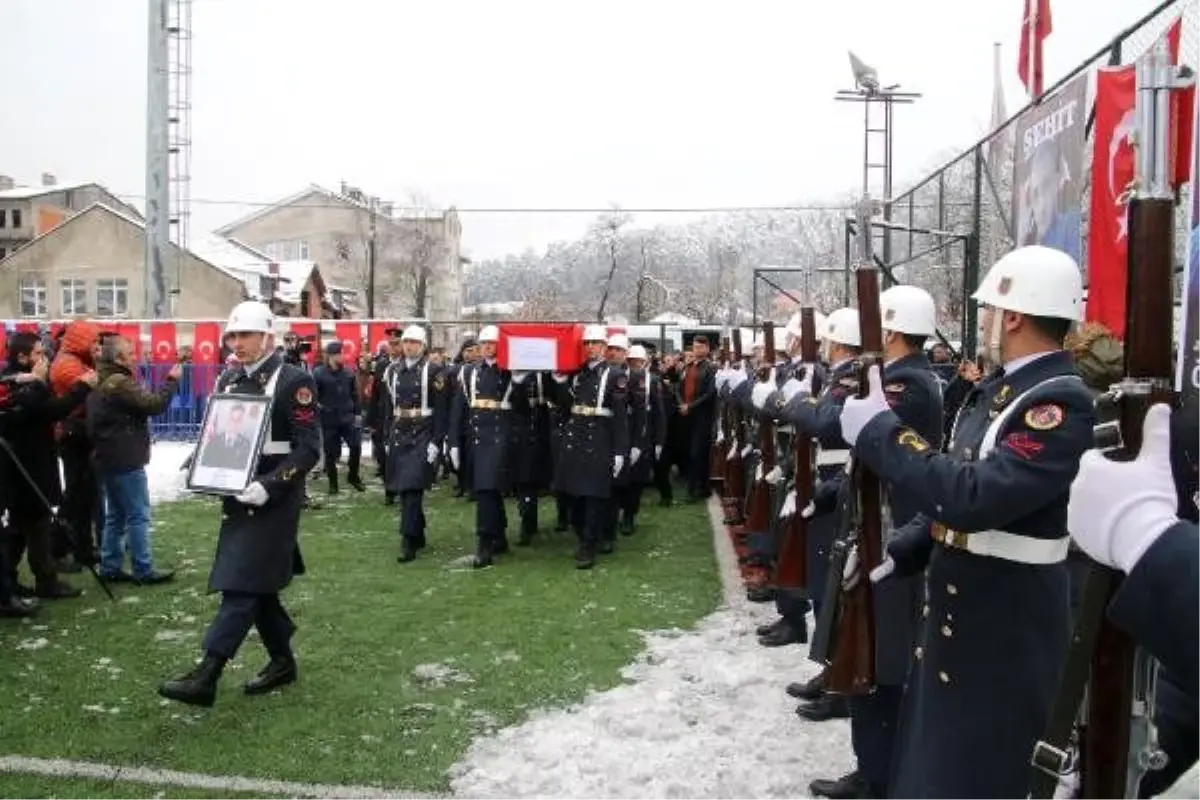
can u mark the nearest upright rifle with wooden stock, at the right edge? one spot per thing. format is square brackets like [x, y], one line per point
[1108, 685]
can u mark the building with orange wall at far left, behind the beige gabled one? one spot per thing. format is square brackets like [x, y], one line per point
[29, 212]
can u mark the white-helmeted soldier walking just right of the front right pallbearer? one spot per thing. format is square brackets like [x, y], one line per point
[646, 438]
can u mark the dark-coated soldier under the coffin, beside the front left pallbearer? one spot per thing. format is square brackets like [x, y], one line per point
[532, 450]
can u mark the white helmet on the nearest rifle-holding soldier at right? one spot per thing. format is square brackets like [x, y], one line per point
[1035, 280]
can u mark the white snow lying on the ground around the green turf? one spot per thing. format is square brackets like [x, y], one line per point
[701, 714]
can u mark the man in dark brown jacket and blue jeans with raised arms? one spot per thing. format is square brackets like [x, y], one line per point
[119, 428]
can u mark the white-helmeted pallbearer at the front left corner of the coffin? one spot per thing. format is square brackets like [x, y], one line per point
[481, 412]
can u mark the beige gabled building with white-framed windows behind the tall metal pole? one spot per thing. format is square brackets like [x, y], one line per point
[92, 266]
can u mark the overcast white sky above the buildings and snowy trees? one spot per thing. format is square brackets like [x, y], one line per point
[483, 104]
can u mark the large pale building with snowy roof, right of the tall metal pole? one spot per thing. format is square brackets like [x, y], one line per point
[418, 251]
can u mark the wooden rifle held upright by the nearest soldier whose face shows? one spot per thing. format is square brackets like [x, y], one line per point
[849, 646]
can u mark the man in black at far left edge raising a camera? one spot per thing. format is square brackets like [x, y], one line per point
[33, 459]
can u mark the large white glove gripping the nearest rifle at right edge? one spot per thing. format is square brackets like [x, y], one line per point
[1119, 509]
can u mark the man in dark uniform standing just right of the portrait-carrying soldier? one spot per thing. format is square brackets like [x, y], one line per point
[340, 417]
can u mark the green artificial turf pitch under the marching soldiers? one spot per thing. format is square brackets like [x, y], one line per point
[401, 665]
